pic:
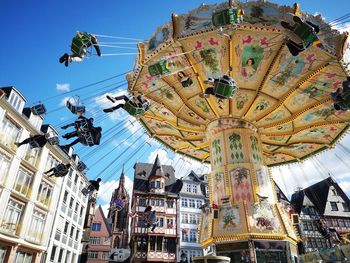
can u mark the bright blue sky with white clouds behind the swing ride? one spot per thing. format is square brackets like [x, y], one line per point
[36, 34]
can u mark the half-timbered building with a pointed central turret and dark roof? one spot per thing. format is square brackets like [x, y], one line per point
[155, 185]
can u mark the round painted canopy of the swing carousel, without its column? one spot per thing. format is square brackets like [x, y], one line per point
[285, 96]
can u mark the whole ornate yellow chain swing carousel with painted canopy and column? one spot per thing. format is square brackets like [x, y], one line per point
[231, 85]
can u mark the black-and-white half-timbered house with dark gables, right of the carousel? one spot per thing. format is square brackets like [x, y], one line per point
[323, 208]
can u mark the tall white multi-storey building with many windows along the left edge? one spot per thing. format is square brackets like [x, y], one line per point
[39, 214]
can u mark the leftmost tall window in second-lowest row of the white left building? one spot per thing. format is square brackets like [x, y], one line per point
[12, 216]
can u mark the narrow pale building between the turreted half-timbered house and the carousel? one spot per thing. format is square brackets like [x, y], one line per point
[193, 195]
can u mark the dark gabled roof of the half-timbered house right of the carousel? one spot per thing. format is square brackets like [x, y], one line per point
[318, 195]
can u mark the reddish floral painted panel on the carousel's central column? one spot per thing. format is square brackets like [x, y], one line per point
[241, 184]
